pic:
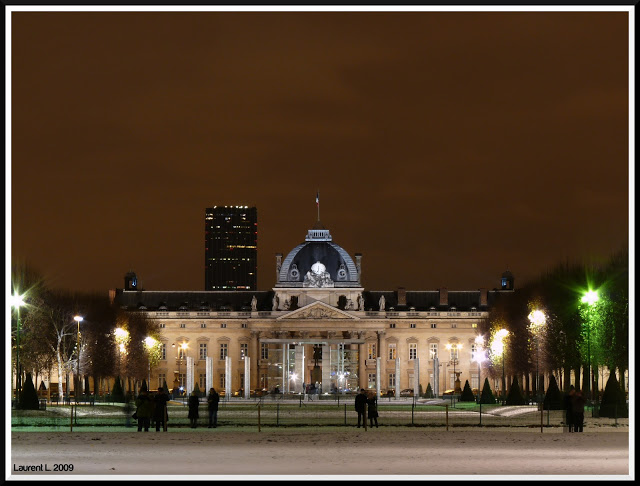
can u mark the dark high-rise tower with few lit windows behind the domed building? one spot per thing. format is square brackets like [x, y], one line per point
[231, 248]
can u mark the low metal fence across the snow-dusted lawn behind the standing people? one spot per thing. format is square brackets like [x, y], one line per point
[284, 412]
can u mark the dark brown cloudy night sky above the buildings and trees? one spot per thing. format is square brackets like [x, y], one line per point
[446, 146]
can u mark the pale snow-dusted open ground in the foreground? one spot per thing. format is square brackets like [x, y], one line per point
[326, 451]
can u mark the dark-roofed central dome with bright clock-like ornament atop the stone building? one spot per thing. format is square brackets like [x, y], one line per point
[318, 255]
